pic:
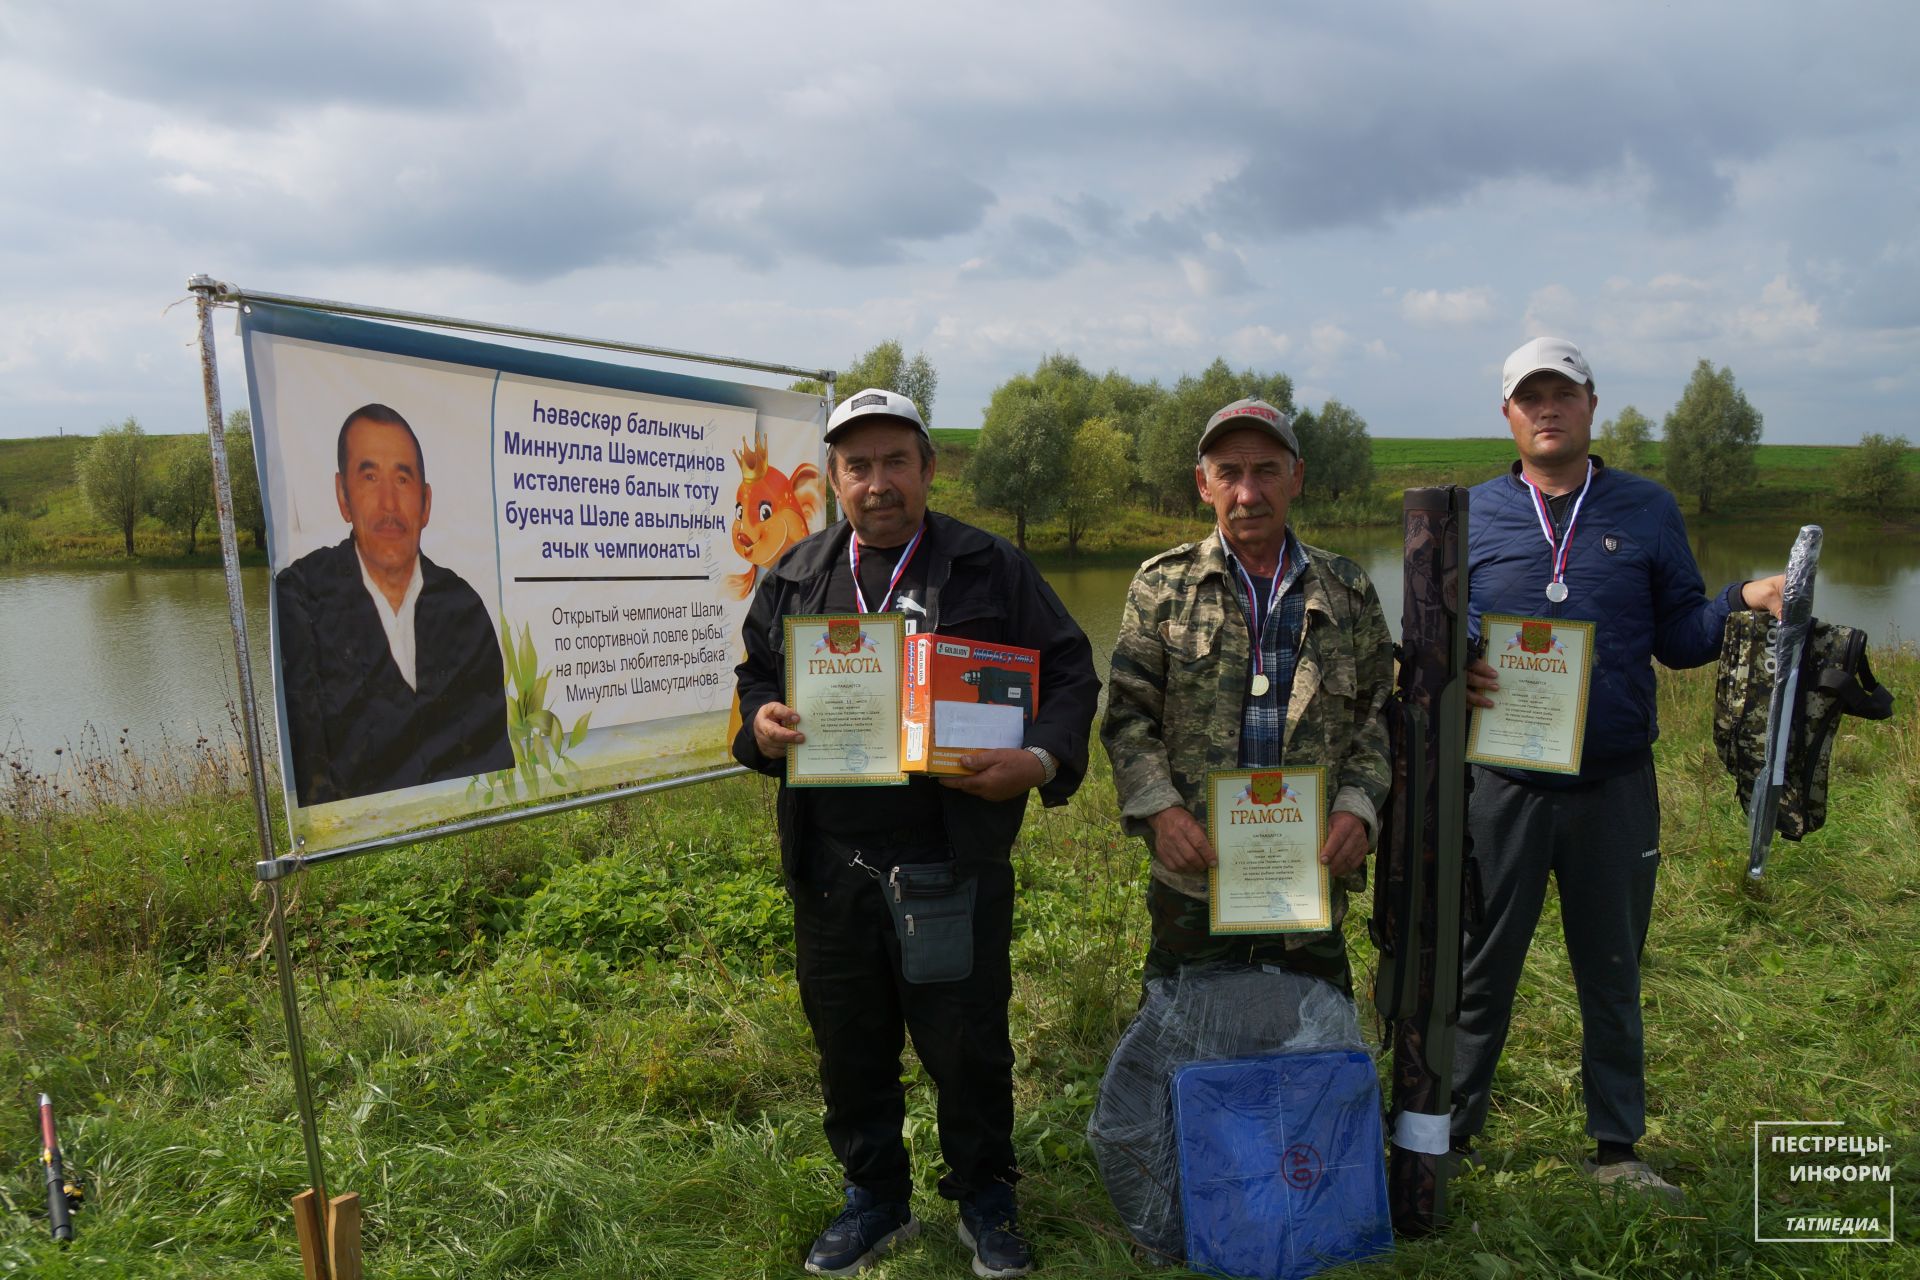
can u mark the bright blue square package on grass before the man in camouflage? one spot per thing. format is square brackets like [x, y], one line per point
[1282, 1170]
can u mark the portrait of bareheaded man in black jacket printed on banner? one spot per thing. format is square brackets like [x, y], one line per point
[391, 663]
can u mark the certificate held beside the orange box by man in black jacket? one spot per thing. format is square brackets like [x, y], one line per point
[844, 678]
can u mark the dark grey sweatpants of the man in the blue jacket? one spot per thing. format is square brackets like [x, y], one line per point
[1602, 845]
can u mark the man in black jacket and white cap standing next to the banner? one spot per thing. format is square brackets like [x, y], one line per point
[946, 577]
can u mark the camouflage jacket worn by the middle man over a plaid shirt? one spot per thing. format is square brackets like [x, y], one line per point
[1180, 682]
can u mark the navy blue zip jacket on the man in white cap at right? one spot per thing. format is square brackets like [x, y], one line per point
[1631, 573]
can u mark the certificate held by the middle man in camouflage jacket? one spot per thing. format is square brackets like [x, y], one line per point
[1268, 828]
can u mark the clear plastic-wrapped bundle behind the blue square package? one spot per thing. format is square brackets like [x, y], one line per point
[1199, 1014]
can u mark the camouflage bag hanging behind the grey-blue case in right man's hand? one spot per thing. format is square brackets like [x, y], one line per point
[1836, 680]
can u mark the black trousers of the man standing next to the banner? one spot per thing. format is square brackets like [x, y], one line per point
[859, 1007]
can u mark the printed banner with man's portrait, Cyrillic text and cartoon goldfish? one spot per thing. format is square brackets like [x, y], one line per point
[504, 575]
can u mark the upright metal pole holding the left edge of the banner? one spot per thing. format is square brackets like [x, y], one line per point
[224, 502]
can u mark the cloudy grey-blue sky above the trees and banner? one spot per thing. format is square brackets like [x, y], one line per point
[1376, 199]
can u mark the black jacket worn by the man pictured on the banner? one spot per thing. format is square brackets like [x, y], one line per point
[354, 726]
